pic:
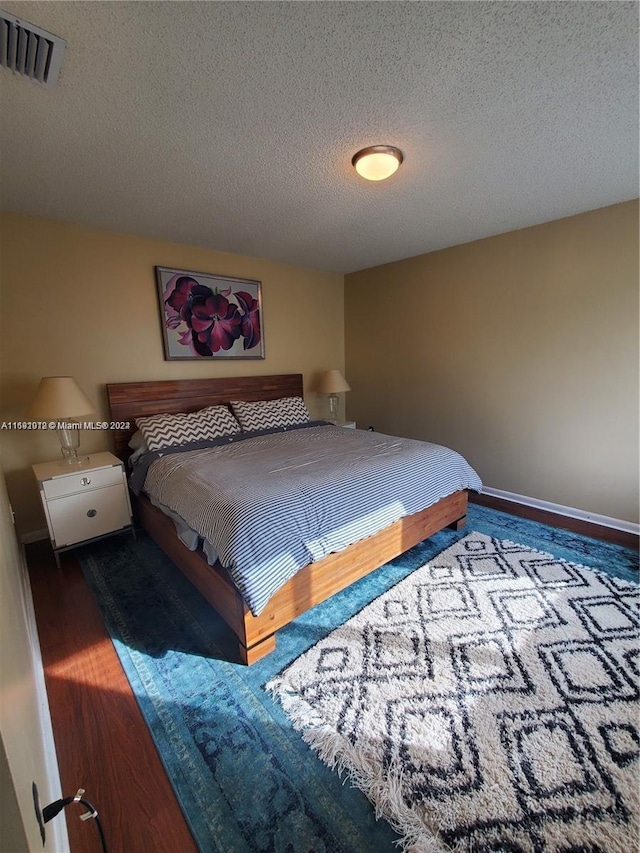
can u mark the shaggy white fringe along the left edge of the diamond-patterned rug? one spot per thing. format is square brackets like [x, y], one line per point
[384, 791]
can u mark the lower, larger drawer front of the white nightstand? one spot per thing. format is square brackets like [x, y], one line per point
[75, 518]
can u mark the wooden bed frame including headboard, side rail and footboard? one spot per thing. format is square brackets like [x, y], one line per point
[312, 584]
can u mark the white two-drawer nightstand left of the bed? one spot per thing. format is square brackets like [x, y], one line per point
[84, 502]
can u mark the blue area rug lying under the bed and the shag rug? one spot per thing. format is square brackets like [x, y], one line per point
[245, 779]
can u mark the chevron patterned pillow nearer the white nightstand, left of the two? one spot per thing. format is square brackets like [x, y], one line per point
[171, 430]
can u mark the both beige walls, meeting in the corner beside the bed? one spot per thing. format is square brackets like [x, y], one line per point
[519, 350]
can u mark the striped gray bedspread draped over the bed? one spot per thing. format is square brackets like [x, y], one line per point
[269, 505]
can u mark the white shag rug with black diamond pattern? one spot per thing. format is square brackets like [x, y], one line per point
[488, 702]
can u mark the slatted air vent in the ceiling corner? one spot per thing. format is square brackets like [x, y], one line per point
[30, 51]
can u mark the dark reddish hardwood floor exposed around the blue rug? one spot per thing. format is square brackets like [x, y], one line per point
[102, 742]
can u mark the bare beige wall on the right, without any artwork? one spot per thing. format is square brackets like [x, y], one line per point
[520, 351]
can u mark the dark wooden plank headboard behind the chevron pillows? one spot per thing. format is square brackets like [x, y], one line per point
[130, 400]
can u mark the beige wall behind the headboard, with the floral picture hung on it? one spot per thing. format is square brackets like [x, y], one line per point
[83, 302]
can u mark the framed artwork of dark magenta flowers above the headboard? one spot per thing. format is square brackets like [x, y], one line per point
[209, 316]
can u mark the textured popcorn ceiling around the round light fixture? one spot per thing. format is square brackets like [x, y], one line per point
[232, 125]
